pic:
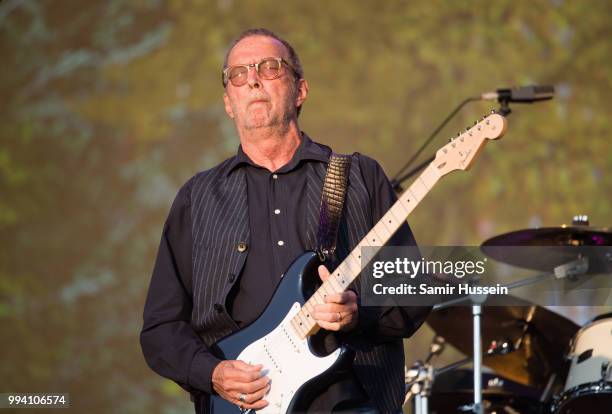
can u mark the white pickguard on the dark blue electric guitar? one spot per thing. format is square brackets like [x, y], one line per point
[287, 361]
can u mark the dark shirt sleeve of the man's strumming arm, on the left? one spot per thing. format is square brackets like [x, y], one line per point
[170, 345]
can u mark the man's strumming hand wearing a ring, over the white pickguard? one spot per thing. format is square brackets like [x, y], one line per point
[241, 384]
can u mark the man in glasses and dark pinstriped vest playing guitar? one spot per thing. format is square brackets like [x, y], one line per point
[234, 229]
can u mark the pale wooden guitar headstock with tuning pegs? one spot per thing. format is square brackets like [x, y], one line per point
[461, 151]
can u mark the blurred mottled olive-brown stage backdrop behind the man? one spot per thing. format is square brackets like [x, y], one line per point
[107, 107]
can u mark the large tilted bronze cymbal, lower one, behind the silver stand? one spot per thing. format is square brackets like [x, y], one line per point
[541, 338]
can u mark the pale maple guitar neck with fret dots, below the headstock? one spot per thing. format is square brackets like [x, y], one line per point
[380, 234]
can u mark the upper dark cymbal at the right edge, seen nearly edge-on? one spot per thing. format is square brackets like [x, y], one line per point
[549, 247]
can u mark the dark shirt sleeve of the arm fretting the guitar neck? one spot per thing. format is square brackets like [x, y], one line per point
[386, 322]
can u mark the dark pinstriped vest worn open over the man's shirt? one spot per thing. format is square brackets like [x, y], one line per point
[220, 223]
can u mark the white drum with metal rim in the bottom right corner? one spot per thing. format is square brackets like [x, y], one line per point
[588, 388]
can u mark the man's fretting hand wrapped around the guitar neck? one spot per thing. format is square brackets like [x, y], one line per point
[339, 313]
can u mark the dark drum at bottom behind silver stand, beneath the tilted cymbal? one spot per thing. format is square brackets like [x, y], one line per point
[453, 390]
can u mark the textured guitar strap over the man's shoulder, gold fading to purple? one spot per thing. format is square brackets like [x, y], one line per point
[332, 202]
